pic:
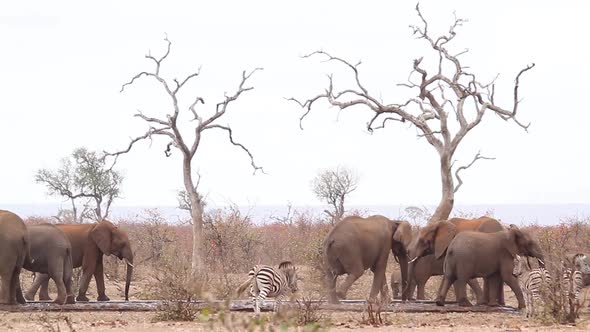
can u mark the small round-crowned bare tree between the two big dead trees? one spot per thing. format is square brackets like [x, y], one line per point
[333, 186]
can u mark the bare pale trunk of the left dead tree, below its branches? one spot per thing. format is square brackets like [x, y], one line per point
[197, 262]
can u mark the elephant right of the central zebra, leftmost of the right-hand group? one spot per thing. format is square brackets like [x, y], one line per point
[356, 244]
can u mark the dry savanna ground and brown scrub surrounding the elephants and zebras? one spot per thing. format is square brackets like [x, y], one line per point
[234, 244]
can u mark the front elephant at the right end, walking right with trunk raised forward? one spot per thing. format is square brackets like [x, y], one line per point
[488, 255]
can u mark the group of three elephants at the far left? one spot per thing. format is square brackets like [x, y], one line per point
[52, 252]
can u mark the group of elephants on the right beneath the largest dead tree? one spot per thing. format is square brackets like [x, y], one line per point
[458, 249]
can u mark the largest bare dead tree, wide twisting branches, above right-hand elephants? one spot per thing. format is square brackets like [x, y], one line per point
[449, 103]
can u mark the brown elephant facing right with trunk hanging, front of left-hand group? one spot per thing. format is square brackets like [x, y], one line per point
[89, 243]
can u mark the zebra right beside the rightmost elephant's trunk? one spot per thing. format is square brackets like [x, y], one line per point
[531, 282]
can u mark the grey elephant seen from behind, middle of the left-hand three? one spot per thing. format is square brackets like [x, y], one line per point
[51, 252]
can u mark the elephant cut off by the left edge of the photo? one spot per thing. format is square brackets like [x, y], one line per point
[14, 251]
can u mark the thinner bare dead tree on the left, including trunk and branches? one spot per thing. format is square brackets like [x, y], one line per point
[167, 126]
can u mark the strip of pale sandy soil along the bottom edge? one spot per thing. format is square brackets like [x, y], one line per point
[339, 321]
